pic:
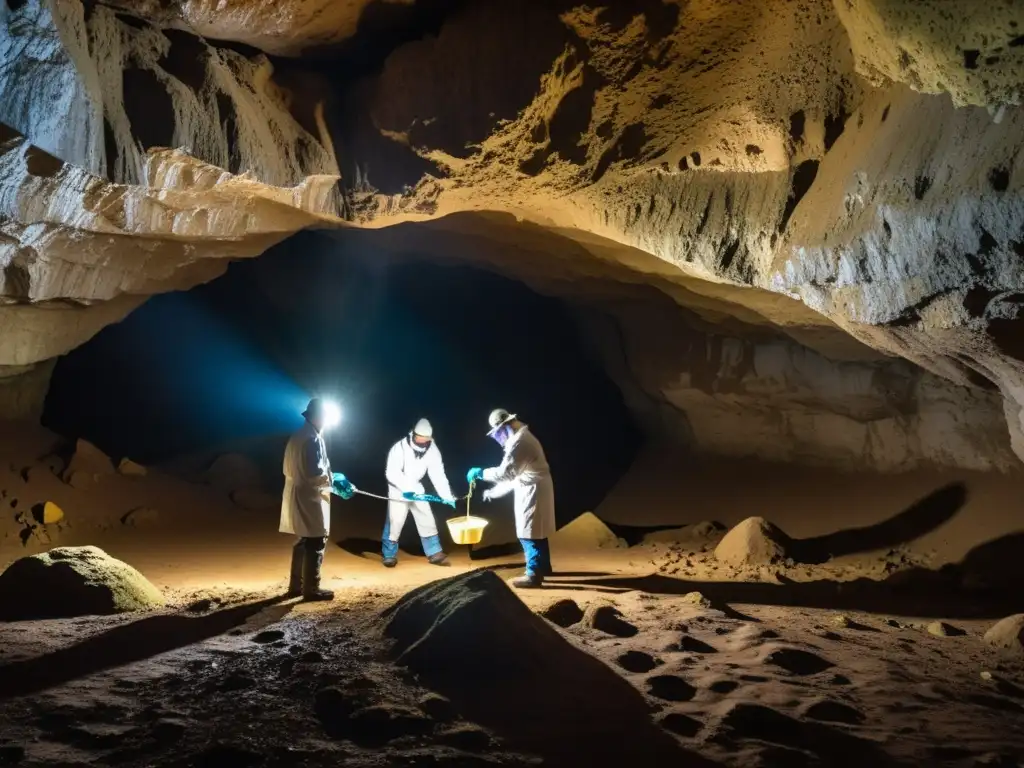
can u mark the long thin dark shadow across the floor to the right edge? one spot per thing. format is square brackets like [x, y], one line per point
[940, 601]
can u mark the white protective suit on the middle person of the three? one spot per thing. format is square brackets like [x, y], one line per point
[406, 470]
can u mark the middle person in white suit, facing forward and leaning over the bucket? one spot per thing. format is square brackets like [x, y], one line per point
[409, 461]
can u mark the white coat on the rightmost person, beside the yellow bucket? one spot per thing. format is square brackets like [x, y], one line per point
[525, 471]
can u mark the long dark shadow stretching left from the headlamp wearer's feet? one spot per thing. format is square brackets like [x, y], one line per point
[124, 645]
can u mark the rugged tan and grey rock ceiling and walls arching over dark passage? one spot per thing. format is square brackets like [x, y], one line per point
[821, 199]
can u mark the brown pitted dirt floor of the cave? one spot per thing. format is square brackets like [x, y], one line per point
[677, 660]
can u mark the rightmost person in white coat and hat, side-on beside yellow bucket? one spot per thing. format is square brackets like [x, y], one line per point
[524, 471]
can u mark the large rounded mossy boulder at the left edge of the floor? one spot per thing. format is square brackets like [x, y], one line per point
[73, 582]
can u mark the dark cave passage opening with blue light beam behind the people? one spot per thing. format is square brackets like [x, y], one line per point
[229, 366]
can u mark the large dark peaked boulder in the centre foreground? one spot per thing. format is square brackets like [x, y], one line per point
[473, 641]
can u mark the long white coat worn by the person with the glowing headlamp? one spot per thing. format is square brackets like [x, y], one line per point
[306, 506]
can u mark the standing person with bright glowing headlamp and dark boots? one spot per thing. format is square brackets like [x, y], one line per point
[306, 505]
